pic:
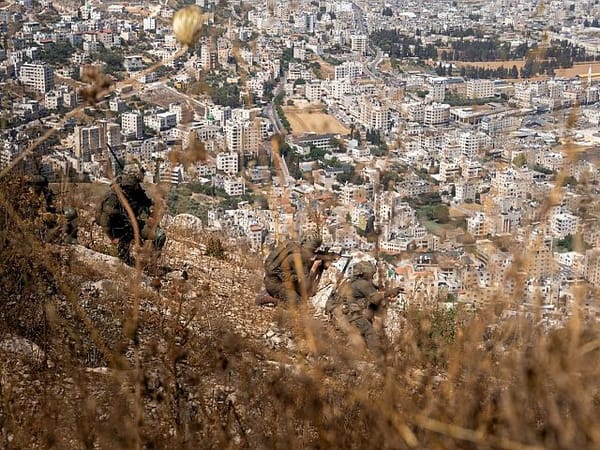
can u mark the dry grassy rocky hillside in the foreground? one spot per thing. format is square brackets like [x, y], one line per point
[95, 354]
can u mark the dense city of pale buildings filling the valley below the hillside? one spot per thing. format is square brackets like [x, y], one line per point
[456, 140]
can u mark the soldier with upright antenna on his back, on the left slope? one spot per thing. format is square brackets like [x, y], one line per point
[113, 218]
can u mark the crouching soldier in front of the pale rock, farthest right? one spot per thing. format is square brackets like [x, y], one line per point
[356, 301]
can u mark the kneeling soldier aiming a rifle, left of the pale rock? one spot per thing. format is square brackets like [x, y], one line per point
[291, 271]
